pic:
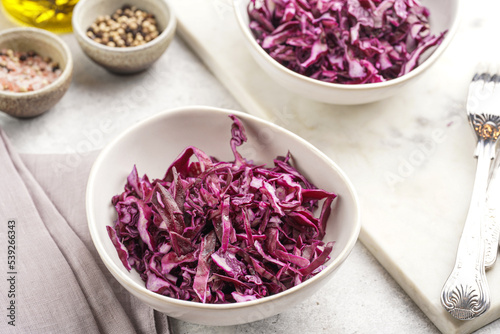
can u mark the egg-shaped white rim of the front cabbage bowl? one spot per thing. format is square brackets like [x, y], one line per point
[331, 267]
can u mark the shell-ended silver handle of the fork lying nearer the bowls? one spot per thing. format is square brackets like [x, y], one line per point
[465, 294]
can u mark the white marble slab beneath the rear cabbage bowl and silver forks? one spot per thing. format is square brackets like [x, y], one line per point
[410, 156]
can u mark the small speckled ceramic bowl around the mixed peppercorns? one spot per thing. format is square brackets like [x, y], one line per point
[125, 60]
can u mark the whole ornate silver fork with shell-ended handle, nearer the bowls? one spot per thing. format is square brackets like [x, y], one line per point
[465, 294]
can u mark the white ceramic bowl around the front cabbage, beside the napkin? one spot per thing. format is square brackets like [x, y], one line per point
[153, 145]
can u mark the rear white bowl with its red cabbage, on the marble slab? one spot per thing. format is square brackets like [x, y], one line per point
[346, 52]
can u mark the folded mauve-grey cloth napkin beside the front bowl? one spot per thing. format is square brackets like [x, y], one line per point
[52, 279]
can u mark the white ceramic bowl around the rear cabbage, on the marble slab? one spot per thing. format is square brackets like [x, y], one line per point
[444, 15]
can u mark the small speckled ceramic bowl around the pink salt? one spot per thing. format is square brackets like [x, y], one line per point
[47, 44]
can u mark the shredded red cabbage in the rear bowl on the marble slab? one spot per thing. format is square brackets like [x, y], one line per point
[344, 41]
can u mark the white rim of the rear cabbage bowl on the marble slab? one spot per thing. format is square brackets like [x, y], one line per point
[367, 86]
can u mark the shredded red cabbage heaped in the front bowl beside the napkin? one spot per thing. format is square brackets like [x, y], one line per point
[221, 232]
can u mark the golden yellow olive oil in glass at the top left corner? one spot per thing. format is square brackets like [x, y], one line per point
[53, 15]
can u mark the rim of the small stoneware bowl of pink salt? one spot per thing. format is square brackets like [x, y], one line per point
[66, 73]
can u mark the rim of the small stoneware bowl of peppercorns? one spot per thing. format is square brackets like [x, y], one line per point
[165, 33]
